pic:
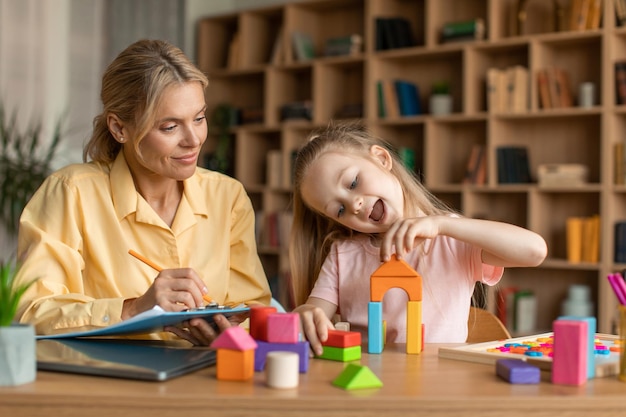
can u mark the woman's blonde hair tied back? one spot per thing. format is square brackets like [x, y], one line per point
[132, 87]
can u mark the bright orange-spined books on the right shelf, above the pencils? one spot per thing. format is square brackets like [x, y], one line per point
[583, 239]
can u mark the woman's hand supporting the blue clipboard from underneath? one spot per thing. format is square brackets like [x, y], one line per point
[199, 332]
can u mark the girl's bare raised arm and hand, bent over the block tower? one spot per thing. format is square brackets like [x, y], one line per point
[502, 244]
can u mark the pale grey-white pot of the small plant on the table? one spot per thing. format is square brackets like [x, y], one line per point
[18, 358]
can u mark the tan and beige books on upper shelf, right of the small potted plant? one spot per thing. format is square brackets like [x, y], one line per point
[508, 89]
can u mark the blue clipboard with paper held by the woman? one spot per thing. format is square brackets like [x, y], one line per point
[151, 321]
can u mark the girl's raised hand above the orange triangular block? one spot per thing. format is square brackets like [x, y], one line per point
[407, 234]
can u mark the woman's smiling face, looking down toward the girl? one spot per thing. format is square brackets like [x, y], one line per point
[171, 148]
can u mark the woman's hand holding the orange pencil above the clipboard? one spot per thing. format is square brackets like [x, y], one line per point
[172, 290]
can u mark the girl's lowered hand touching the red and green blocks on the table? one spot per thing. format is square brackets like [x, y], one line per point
[315, 317]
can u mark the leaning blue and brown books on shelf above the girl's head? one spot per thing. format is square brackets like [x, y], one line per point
[398, 98]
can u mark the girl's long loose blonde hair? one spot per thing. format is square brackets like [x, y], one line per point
[312, 233]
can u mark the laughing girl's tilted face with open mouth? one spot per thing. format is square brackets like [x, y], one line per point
[359, 193]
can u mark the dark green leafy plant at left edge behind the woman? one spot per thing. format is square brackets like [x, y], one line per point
[24, 163]
